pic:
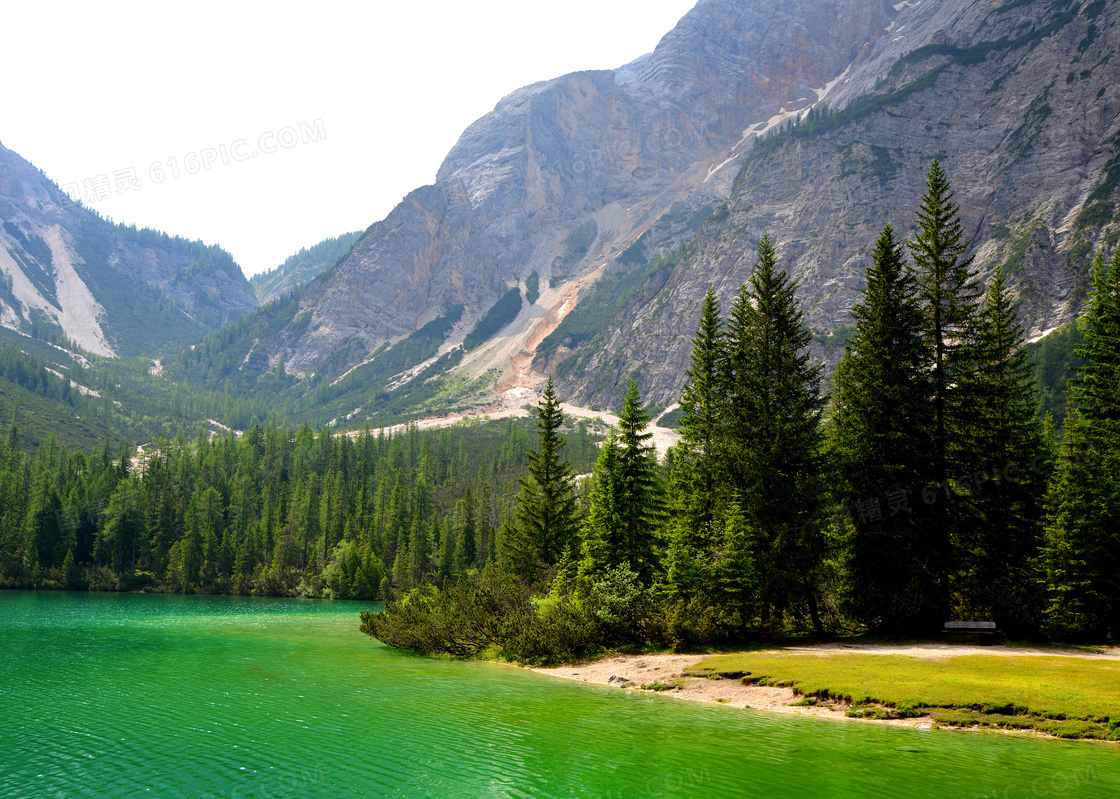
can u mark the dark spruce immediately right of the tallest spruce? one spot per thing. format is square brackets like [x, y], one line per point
[1001, 535]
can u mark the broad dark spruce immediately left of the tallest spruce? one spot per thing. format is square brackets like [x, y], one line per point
[882, 436]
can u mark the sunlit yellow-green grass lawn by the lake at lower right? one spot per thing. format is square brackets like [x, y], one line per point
[1069, 698]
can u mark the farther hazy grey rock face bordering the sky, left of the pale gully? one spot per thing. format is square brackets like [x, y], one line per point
[615, 150]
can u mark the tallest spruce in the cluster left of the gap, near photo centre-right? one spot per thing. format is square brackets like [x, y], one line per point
[774, 395]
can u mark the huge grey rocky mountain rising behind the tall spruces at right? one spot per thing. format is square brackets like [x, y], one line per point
[555, 236]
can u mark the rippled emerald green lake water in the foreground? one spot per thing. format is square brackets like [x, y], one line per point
[122, 695]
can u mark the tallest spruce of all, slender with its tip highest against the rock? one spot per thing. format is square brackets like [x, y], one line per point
[950, 294]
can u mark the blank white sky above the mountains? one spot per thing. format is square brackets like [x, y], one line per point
[384, 89]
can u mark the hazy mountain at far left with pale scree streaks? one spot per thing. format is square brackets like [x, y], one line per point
[110, 290]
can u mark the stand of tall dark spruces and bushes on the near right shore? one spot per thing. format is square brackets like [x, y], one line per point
[921, 489]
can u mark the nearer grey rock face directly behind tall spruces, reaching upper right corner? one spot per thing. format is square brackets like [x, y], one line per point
[1022, 106]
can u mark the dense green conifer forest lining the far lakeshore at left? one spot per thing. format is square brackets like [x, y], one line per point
[270, 513]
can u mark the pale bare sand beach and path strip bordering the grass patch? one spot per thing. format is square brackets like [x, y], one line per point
[632, 672]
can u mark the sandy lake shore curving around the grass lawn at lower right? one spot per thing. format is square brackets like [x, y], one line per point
[682, 677]
